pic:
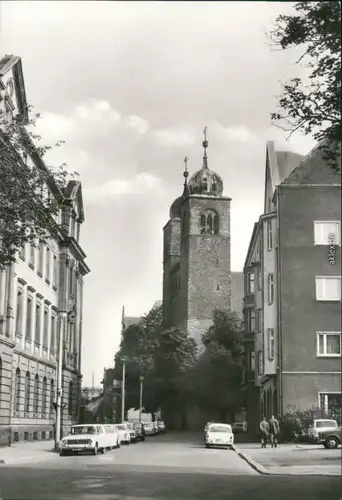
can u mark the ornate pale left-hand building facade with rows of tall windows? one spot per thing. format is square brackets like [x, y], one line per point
[46, 278]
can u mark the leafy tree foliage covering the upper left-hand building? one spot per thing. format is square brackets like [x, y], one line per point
[31, 194]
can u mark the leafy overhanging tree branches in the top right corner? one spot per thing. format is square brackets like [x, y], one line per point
[314, 108]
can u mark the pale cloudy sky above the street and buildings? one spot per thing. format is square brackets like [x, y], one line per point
[130, 87]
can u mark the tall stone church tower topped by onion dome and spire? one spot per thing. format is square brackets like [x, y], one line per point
[199, 278]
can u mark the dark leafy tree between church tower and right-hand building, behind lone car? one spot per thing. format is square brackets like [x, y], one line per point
[219, 369]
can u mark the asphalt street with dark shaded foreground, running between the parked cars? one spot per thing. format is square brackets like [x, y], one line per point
[171, 467]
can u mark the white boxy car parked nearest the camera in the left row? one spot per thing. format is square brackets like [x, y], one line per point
[85, 438]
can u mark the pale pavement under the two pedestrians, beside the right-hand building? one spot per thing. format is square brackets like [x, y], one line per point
[292, 459]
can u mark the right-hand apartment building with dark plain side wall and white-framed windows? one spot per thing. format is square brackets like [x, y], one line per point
[293, 290]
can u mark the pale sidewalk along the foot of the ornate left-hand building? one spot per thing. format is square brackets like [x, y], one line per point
[27, 452]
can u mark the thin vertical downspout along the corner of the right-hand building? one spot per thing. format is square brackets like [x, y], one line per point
[279, 304]
